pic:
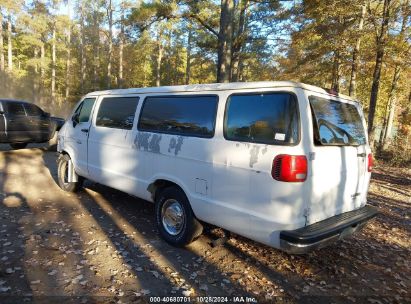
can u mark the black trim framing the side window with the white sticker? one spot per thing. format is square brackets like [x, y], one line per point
[294, 96]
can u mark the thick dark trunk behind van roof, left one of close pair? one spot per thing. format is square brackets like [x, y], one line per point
[225, 37]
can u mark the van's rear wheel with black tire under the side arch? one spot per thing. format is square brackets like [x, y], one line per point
[189, 229]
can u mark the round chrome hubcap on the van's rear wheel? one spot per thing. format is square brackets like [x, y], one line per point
[172, 216]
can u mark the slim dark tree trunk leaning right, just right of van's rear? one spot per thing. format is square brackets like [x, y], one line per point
[381, 40]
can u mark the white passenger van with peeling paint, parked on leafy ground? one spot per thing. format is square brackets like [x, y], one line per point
[283, 163]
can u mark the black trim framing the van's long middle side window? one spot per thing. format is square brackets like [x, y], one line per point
[177, 96]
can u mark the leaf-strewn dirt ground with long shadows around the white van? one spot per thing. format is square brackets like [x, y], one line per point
[101, 245]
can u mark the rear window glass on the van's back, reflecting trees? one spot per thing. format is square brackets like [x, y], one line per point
[336, 123]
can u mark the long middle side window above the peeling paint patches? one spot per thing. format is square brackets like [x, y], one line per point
[185, 115]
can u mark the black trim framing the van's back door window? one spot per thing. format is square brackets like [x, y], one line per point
[316, 130]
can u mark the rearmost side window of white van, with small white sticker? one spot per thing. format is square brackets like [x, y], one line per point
[268, 118]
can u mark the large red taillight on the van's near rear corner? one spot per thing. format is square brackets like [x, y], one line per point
[289, 168]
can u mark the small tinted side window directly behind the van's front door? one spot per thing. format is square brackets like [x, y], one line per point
[117, 112]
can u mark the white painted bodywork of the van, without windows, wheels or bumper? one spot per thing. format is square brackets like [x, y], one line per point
[228, 183]
